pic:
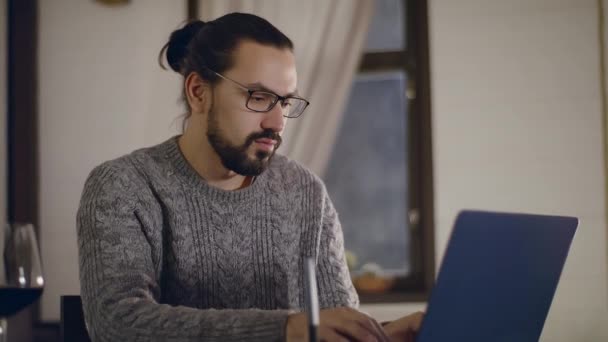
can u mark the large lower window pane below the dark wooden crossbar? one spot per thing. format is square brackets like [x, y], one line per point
[367, 173]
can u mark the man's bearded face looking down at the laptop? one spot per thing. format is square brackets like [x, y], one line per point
[246, 140]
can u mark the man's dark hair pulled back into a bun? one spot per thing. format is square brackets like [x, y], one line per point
[203, 46]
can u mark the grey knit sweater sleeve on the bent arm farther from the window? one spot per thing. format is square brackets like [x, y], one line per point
[120, 283]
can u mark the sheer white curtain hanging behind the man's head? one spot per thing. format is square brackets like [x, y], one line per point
[328, 36]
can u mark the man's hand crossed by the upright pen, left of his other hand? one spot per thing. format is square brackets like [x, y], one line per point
[339, 324]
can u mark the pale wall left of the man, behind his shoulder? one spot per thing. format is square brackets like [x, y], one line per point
[102, 94]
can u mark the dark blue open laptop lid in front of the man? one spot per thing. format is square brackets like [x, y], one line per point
[498, 277]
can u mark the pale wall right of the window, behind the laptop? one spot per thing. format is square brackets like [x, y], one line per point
[517, 126]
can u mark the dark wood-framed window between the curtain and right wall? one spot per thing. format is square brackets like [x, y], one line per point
[380, 172]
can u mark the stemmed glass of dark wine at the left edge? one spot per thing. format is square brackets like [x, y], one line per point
[21, 279]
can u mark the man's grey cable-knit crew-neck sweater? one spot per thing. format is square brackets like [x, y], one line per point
[166, 257]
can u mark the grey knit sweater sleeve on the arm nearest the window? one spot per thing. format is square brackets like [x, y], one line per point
[335, 285]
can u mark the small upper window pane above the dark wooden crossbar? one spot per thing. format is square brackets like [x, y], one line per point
[387, 29]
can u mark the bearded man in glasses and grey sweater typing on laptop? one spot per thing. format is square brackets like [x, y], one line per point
[204, 236]
